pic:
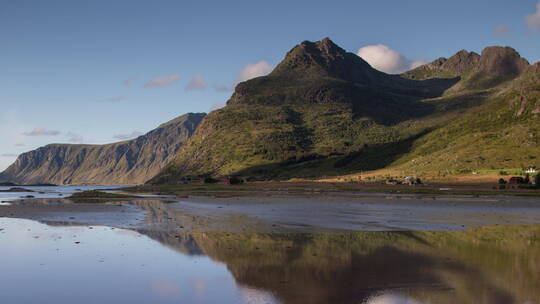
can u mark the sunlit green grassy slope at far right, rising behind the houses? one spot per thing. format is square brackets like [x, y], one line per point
[503, 133]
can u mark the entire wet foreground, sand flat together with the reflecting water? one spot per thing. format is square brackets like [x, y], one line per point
[274, 249]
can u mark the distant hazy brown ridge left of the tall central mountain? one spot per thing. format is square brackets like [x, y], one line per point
[128, 162]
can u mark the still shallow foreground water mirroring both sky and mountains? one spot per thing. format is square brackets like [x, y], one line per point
[98, 264]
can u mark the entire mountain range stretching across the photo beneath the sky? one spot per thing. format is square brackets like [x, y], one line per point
[323, 111]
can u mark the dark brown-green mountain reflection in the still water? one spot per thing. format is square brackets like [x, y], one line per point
[484, 265]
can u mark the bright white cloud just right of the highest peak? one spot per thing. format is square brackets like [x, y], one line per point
[387, 60]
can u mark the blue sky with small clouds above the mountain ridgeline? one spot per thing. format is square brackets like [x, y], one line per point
[99, 71]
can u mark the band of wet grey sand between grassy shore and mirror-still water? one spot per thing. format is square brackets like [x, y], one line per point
[285, 213]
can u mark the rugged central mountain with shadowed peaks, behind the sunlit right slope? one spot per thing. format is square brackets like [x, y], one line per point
[323, 111]
